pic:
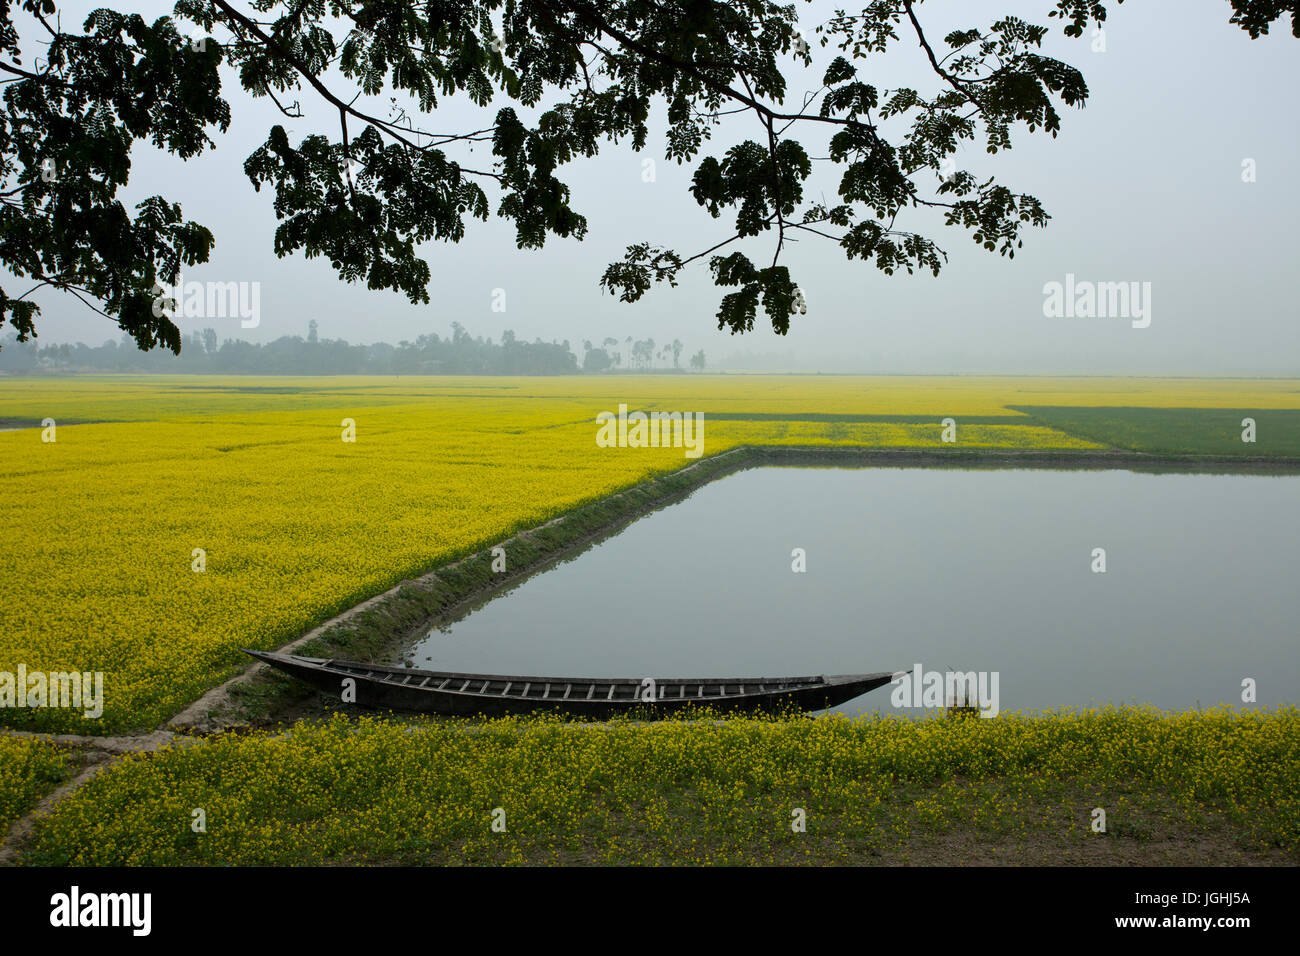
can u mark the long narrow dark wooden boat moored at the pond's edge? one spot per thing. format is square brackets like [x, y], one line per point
[466, 695]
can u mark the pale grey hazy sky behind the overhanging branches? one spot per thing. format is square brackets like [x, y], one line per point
[1143, 185]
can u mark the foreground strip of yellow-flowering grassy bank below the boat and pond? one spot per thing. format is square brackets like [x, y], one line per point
[1217, 786]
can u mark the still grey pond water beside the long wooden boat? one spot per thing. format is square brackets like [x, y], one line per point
[957, 570]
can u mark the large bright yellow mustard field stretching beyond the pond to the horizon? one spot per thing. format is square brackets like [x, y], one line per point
[166, 522]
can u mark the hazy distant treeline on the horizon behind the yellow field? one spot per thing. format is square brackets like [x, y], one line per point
[457, 354]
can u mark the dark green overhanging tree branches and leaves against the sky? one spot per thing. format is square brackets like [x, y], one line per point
[578, 75]
